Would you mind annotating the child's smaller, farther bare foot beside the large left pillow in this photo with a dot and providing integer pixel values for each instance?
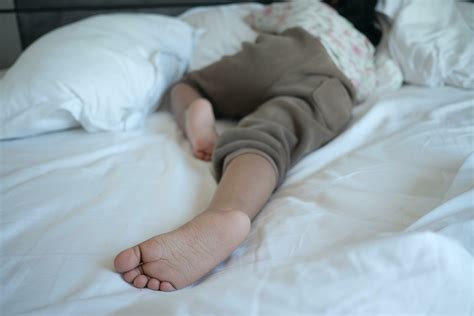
(199, 126)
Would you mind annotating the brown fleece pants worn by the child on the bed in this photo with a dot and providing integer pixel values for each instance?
(287, 93)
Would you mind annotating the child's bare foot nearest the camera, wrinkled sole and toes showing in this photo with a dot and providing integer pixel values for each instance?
(179, 258)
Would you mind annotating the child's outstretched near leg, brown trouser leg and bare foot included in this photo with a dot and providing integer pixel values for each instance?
(282, 130)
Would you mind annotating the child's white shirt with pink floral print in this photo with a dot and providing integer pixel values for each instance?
(350, 50)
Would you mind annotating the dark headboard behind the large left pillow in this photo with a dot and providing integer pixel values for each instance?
(23, 21)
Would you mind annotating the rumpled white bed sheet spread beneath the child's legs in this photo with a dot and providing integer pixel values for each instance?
(380, 221)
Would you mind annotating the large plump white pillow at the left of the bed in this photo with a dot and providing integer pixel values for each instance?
(105, 73)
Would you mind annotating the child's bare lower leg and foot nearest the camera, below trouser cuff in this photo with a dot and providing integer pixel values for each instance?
(177, 259)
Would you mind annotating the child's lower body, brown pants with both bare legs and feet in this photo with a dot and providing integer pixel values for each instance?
(290, 99)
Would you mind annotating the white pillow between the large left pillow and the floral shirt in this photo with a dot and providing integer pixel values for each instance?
(225, 31)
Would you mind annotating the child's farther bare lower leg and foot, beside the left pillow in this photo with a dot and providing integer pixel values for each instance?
(195, 117)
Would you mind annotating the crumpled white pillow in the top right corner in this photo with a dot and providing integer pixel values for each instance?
(431, 42)
